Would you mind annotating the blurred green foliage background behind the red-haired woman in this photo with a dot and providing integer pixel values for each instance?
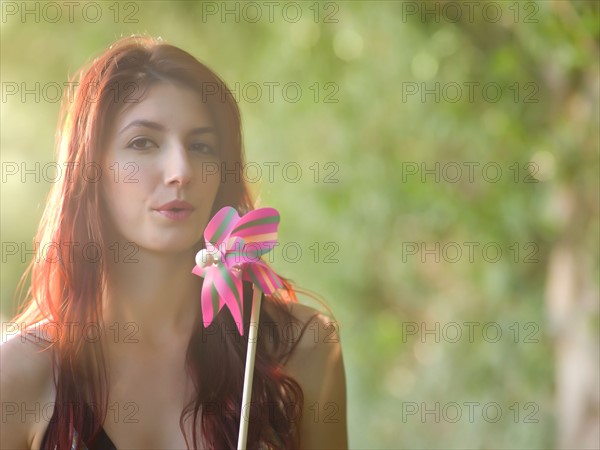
(546, 62)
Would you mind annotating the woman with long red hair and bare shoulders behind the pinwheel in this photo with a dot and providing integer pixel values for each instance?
(114, 353)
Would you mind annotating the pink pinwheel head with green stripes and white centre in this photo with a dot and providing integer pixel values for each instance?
(234, 246)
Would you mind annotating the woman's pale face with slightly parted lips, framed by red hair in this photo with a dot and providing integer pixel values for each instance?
(163, 149)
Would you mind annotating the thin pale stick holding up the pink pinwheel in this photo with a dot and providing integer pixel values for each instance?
(249, 372)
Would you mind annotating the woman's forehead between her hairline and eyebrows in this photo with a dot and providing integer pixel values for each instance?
(176, 107)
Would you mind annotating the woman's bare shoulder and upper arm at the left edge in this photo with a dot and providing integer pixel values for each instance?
(26, 389)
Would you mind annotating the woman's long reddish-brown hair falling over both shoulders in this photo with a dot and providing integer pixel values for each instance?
(66, 286)
